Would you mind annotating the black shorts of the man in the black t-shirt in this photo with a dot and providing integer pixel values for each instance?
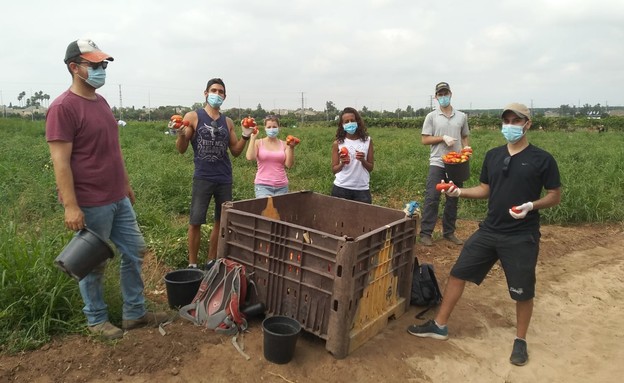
(516, 252)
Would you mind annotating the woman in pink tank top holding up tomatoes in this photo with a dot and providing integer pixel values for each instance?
(273, 157)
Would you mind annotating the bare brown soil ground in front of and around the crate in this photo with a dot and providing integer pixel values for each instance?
(575, 335)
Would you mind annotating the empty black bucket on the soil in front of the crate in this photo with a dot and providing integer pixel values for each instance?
(280, 338)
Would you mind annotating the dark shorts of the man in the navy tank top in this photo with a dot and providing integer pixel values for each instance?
(203, 191)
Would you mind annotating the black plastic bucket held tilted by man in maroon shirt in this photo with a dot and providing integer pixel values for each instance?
(83, 253)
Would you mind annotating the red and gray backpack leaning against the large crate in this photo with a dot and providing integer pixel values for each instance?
(217, 302)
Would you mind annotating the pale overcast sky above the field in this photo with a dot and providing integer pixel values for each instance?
(382, 54)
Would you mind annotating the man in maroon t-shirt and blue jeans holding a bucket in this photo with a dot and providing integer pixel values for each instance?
(93, 186)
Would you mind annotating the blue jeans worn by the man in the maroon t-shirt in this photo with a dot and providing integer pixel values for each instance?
(117, 222)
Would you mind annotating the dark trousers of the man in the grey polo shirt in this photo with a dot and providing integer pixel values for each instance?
(432, 201)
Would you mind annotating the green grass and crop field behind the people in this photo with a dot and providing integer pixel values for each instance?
(38, 301)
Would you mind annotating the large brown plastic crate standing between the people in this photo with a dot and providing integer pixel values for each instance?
(341, 268)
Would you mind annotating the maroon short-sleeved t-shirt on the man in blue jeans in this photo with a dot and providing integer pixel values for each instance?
(96, 160)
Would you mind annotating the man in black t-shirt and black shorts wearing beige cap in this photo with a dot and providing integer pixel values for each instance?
(512, 179)
